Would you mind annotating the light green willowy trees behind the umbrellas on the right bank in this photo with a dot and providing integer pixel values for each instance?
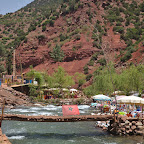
(130, 79)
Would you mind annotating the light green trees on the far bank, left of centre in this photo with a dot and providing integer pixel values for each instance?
(59, 79)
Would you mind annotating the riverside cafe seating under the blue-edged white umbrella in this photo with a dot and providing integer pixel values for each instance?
(101, 102)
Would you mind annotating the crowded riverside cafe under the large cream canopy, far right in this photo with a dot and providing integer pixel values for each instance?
(132, 106)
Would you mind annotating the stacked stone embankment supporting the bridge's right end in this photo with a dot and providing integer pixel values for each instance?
(127, 126)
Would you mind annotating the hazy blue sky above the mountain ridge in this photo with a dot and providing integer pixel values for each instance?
(7, 6)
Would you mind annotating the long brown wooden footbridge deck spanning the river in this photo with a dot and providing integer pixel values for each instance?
(76, 118)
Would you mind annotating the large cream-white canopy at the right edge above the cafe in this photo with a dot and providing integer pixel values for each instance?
(131, 100)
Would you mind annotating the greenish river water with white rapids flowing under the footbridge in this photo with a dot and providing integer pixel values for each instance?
(59, 133)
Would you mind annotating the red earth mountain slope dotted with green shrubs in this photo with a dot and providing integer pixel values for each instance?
(82, 29)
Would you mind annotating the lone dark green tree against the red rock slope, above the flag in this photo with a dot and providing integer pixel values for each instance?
(57, 54)
